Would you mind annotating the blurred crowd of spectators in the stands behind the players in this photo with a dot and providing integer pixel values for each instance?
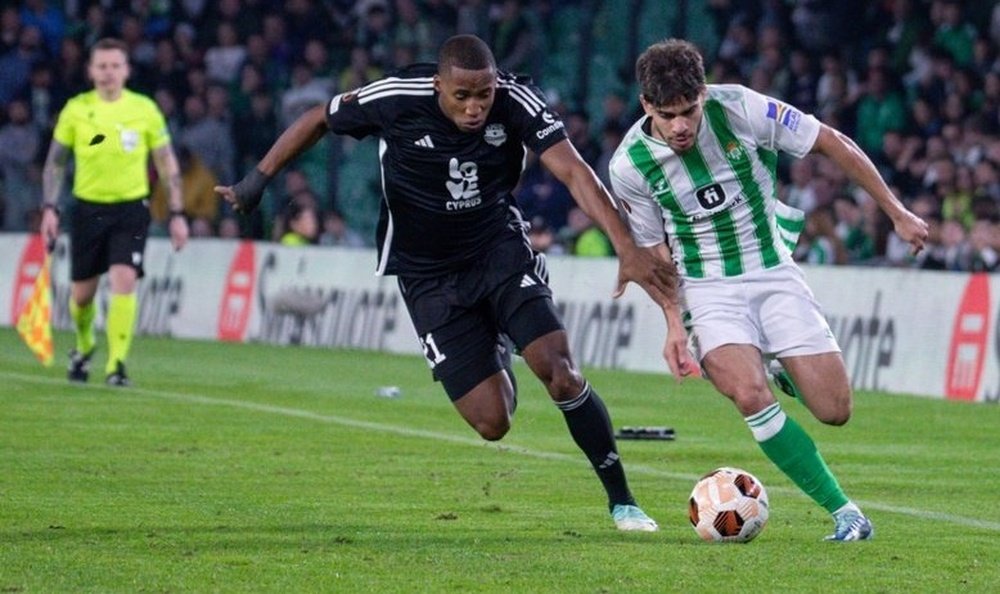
(915, 82)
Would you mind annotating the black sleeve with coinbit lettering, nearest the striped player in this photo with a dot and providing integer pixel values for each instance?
(538, 127)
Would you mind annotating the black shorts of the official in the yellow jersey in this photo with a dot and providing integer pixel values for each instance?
(106, 234)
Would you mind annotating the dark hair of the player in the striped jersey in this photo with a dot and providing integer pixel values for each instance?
(670, 71)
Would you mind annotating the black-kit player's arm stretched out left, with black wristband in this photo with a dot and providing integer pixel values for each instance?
(302, 134)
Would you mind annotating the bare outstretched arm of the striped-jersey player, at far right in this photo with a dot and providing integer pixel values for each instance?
(843, 151)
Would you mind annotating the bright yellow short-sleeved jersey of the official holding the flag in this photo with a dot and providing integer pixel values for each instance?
(111, 142)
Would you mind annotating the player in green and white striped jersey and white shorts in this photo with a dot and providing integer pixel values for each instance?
(696, 179)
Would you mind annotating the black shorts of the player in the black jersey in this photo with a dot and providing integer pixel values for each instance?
(459, 316)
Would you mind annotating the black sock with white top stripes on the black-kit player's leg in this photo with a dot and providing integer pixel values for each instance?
(590, 426)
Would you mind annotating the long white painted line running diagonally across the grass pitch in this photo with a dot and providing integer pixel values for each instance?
(471, 441)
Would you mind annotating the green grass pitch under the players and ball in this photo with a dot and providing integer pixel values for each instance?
(254, 468)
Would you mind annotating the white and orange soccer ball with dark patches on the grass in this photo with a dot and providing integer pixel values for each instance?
(728, 505)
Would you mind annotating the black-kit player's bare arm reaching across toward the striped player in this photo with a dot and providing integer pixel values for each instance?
(657, 276)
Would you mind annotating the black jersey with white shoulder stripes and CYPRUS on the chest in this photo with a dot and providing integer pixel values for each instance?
(446, 193)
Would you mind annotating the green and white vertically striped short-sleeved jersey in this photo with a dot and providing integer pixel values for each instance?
(717, 202)
